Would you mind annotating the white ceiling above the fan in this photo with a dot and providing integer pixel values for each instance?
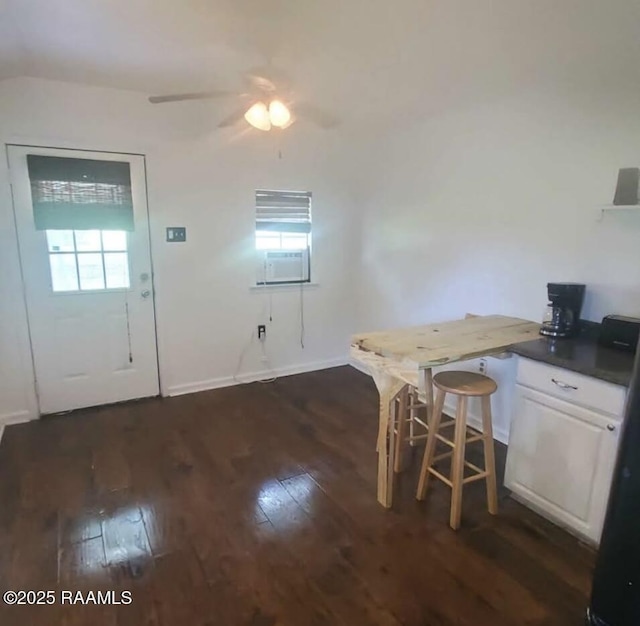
(380, 59)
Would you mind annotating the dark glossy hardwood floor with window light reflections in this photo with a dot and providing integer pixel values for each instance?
(255, 505)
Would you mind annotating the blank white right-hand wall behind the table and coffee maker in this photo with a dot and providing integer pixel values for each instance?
(478, 209)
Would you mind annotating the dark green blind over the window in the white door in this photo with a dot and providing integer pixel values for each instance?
(80, 194)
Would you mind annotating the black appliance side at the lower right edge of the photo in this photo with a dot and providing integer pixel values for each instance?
(615, 597)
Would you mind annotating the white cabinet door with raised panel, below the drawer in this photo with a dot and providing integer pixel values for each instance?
(561, 458)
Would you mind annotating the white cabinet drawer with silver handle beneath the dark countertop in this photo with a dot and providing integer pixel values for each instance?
(572, 387)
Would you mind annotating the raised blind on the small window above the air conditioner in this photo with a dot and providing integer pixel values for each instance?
(283, 211)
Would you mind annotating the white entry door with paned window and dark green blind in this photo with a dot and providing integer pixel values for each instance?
(89, 289)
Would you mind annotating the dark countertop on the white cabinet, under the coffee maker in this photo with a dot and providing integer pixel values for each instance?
(582, 355)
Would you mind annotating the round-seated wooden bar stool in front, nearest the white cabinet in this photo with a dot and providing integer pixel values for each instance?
(463, 385)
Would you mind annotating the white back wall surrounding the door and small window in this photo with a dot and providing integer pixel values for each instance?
(203, 179)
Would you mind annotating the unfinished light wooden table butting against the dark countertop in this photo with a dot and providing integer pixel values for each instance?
(395, 358)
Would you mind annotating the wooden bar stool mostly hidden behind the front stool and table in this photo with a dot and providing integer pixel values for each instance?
(408, 421)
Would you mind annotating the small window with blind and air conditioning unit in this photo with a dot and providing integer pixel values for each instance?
(283, 236)
